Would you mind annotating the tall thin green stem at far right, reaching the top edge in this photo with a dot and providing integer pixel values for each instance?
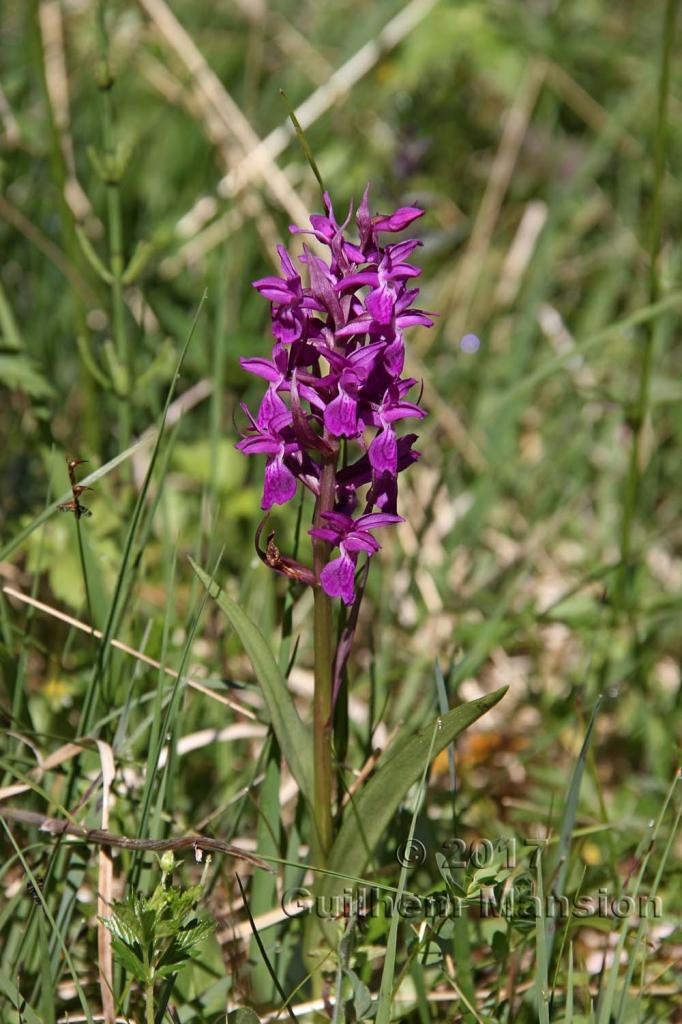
(642, 408)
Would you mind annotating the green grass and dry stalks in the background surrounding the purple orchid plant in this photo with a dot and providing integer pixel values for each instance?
(542, 548)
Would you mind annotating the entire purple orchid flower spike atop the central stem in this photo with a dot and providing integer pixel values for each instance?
(336, 372)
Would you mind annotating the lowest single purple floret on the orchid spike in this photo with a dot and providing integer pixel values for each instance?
(352, 537)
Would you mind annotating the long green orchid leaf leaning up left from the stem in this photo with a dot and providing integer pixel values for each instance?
(293, 737)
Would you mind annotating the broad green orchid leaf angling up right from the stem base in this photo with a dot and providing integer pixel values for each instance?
(373, 808)
